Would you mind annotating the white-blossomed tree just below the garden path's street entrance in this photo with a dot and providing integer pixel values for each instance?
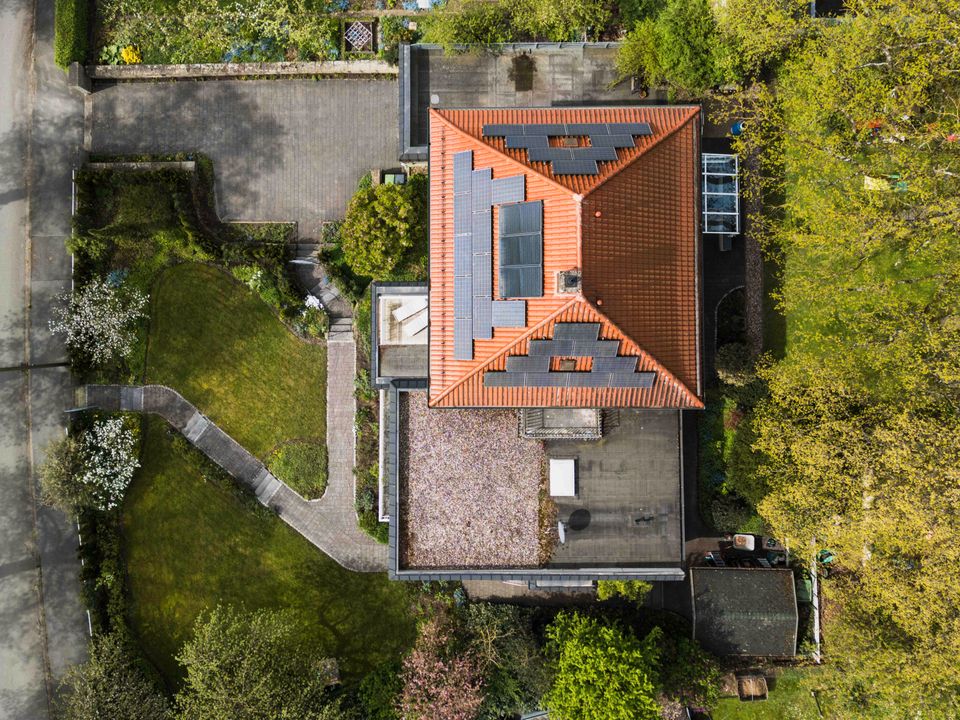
(109, 451)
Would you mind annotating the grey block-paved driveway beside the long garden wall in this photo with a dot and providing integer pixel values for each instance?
(283, 149)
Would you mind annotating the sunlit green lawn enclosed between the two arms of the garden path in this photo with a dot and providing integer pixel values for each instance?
(221, 347)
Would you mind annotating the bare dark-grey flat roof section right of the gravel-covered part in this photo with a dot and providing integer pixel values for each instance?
(627, 510)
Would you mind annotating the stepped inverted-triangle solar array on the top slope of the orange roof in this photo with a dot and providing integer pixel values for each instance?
(605, 139)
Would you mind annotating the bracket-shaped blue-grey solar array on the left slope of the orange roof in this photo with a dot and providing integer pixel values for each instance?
(474, 312)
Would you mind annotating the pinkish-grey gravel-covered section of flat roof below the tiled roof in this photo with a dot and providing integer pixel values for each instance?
(469, 488)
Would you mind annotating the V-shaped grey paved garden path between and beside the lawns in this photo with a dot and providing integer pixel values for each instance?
(330, 523)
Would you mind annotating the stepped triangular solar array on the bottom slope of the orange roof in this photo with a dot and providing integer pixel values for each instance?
(609, 370)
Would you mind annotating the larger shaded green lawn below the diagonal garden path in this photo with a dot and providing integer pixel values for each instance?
(191, 543)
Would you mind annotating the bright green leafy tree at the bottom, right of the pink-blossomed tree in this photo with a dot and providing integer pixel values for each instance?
(602, 671)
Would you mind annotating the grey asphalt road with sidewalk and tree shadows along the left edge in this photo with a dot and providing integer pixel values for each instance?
(43, 627)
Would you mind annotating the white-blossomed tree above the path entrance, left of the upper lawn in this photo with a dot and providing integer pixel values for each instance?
(98, 320)
